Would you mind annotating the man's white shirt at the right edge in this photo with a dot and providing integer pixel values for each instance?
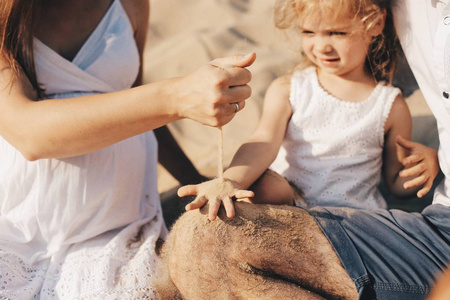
(423, 27)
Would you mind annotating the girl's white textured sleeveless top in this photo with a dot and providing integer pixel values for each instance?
(332, 150)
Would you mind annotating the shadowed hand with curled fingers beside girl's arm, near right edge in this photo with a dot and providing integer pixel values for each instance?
(421, 162)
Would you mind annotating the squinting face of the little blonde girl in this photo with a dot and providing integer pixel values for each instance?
(336, 45)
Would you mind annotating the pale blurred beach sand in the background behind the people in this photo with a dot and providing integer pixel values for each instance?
(183, 35)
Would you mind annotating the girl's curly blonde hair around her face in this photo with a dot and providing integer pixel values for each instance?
(383, 52)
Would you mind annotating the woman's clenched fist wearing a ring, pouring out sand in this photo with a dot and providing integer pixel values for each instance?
(209, 95)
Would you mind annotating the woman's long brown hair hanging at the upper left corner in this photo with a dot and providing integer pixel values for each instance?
(17, 23)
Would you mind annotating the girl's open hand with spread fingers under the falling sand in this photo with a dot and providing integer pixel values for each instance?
(216, 192)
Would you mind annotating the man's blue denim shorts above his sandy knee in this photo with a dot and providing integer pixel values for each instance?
(389, 254)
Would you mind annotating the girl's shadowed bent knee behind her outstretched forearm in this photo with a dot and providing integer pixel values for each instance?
(272, 188)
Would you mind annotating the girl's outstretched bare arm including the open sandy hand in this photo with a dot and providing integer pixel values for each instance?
(251, 159)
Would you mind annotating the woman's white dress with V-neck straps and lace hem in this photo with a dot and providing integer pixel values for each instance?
(82, 227)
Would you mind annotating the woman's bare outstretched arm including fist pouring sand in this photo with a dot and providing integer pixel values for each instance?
(70, 127)
